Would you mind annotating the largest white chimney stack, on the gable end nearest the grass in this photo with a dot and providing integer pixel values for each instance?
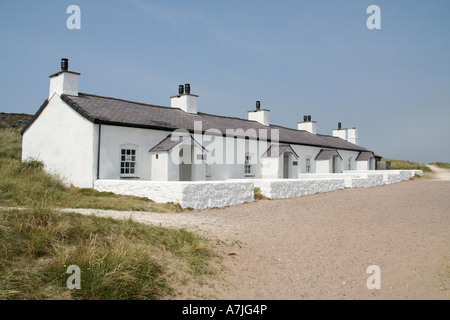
(64, 81)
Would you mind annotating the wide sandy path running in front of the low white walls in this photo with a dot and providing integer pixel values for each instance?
(319, 246)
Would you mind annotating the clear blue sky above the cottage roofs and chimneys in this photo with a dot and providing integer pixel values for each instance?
(296, 57)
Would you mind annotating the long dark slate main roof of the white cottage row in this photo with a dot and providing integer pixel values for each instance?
(112, 111)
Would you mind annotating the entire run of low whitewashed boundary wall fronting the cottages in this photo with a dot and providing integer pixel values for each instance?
(212, 194)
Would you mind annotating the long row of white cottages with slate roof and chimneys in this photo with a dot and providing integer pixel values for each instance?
(84, 138)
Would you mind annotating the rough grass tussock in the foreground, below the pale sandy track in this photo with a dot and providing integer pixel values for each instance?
(118, 259)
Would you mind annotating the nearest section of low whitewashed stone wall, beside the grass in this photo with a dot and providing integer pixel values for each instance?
(195, 195)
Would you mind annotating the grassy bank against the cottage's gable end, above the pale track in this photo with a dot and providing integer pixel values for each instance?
(26, 184)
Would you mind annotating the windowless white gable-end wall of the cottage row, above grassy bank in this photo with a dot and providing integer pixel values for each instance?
(64, 141)
